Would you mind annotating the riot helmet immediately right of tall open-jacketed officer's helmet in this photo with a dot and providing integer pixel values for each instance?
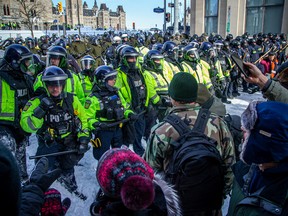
(150, 61)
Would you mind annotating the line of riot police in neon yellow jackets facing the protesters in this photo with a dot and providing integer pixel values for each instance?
(107, 105)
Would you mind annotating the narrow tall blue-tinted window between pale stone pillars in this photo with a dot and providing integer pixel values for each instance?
(211, 16)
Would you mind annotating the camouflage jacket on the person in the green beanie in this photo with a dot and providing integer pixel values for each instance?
(158, 152)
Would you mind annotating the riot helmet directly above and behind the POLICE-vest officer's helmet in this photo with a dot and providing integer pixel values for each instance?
(57, 52)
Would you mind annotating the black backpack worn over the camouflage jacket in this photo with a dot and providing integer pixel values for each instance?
(195, 168)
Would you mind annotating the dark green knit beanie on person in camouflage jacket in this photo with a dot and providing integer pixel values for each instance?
(183, 87)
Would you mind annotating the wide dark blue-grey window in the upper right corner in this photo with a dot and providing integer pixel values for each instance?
(259, 15)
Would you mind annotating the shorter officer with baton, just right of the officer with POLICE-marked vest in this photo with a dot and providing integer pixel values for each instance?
(106, 110)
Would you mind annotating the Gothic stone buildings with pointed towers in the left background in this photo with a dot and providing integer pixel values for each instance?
(76, 14)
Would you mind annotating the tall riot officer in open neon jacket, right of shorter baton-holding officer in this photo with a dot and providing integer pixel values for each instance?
(136, 91)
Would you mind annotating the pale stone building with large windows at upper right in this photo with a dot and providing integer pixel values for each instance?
(238, 16)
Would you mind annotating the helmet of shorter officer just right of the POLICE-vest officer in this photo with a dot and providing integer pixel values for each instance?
(104, 73)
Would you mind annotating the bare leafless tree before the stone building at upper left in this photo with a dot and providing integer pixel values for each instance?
(30, 10)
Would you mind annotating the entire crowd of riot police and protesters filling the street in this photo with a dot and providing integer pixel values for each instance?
(112, 91)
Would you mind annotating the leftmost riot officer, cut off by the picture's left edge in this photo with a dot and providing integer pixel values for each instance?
(16, 89)
